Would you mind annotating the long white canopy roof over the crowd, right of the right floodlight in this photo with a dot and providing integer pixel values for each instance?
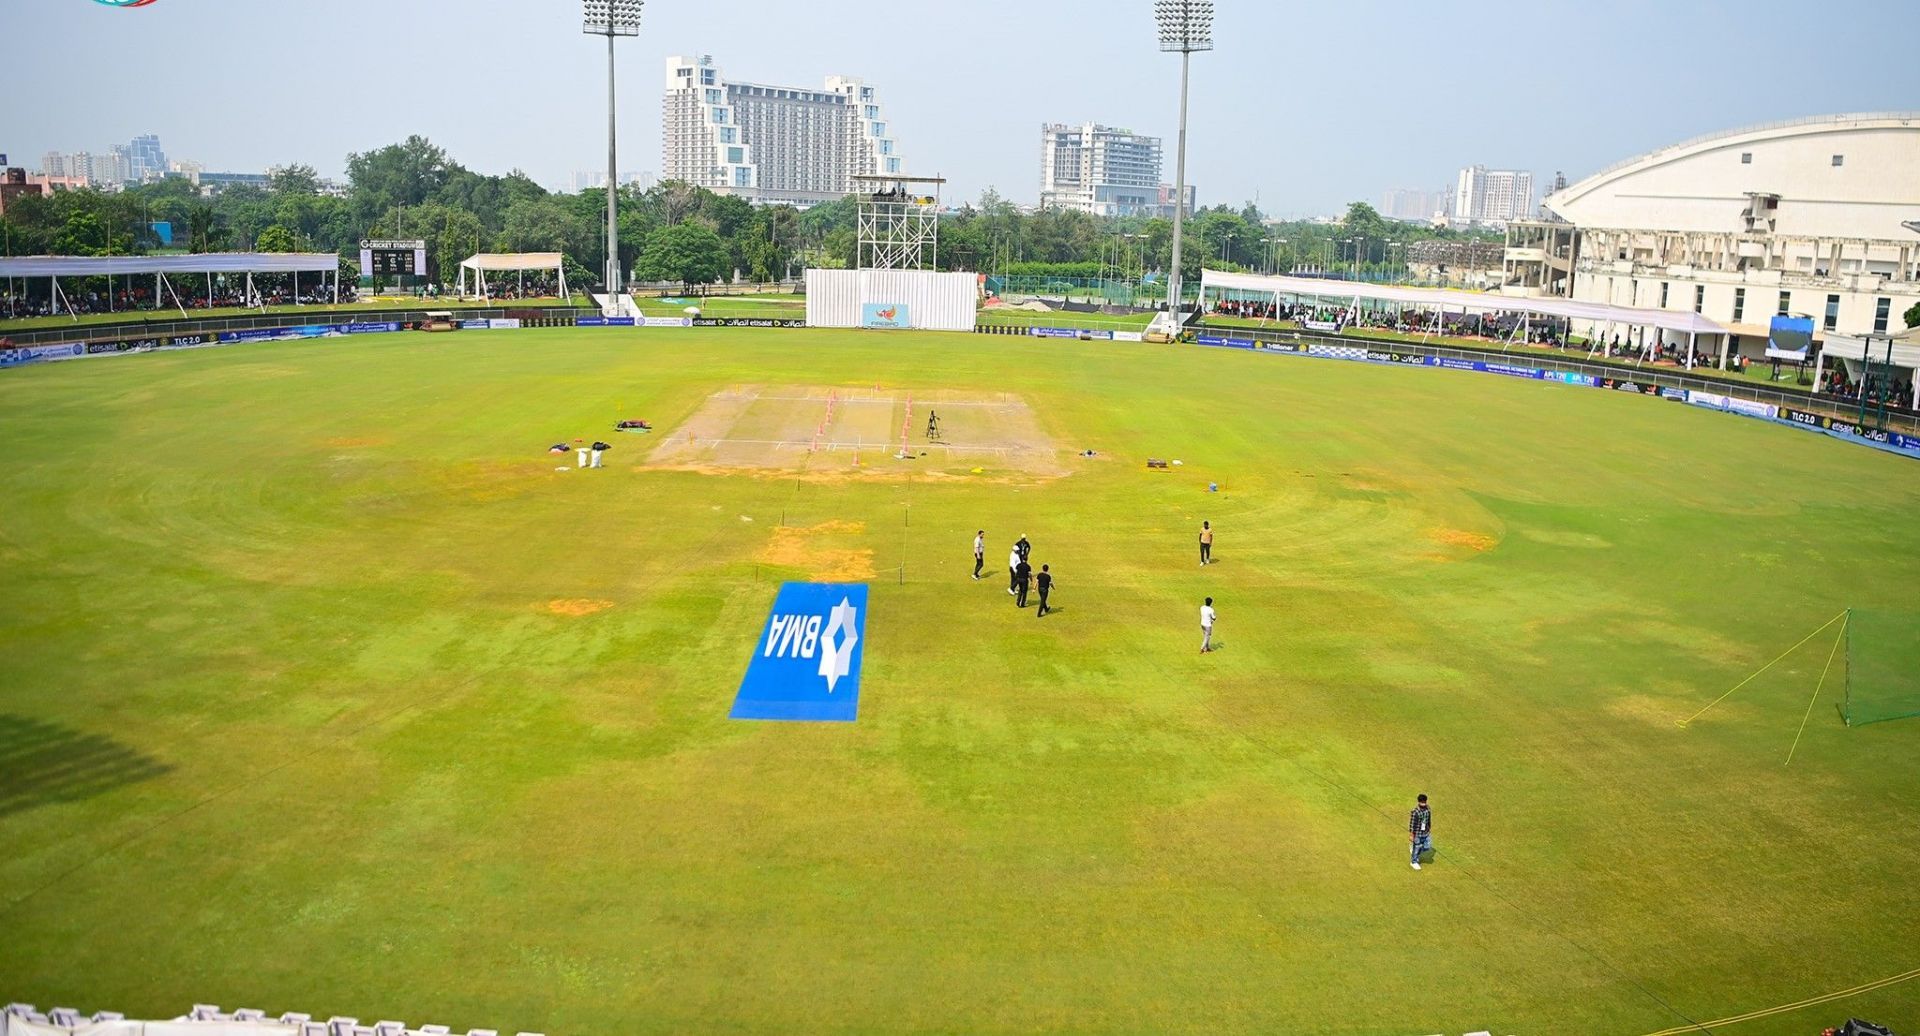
(1447, 300)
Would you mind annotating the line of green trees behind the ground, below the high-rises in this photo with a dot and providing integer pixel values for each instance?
(669, 233)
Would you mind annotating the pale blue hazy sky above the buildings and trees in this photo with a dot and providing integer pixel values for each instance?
(1303, 105)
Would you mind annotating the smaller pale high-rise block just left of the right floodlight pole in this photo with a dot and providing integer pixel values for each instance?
(1099, 170)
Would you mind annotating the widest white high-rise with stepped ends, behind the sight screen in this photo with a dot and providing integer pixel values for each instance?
(773, 145)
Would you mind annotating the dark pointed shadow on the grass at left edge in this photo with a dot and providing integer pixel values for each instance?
(45, 763)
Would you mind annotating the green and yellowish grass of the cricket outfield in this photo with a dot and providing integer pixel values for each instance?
(327, 692)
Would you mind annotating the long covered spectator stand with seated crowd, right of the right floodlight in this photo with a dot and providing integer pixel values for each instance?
(1512, 314)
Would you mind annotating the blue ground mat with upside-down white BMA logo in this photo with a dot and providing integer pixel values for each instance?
(807, 661)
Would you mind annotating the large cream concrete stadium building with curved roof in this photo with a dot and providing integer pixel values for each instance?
(1812, 218)
